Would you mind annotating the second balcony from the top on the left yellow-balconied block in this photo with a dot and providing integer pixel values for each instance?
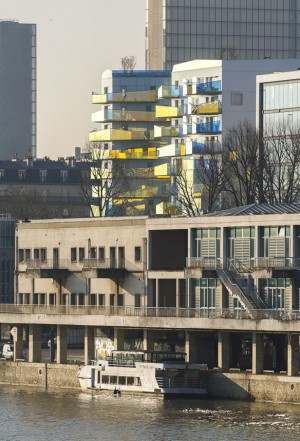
(111, 115)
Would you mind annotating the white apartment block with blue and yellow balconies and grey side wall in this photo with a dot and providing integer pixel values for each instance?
(208, 97)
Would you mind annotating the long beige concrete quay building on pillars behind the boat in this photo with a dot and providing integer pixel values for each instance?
(221, 287)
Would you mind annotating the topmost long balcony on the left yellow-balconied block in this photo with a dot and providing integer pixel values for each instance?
(147, 96)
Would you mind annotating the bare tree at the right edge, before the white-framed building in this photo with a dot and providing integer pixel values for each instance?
(281, 163)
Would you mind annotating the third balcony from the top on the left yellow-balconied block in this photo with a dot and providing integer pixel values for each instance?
(134, 134)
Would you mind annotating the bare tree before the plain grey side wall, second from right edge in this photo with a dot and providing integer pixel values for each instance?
(241, 165)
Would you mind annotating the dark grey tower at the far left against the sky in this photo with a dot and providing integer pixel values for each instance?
(17, 89)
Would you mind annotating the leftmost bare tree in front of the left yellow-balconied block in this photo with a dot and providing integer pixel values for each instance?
(104, 190)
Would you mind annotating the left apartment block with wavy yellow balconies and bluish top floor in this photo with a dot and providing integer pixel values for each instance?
(124, 139)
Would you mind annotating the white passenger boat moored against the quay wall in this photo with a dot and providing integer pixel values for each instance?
(142, 372)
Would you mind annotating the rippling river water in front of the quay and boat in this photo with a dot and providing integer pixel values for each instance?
(59, 416)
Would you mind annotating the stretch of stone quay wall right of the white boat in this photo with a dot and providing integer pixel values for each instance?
(249, 387)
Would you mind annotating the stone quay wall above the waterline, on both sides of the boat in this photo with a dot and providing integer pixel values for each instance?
(235, 386)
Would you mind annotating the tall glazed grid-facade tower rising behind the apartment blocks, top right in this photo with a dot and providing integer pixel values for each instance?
(183, 30)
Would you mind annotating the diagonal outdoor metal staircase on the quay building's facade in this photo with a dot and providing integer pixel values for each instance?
(238, 285)
